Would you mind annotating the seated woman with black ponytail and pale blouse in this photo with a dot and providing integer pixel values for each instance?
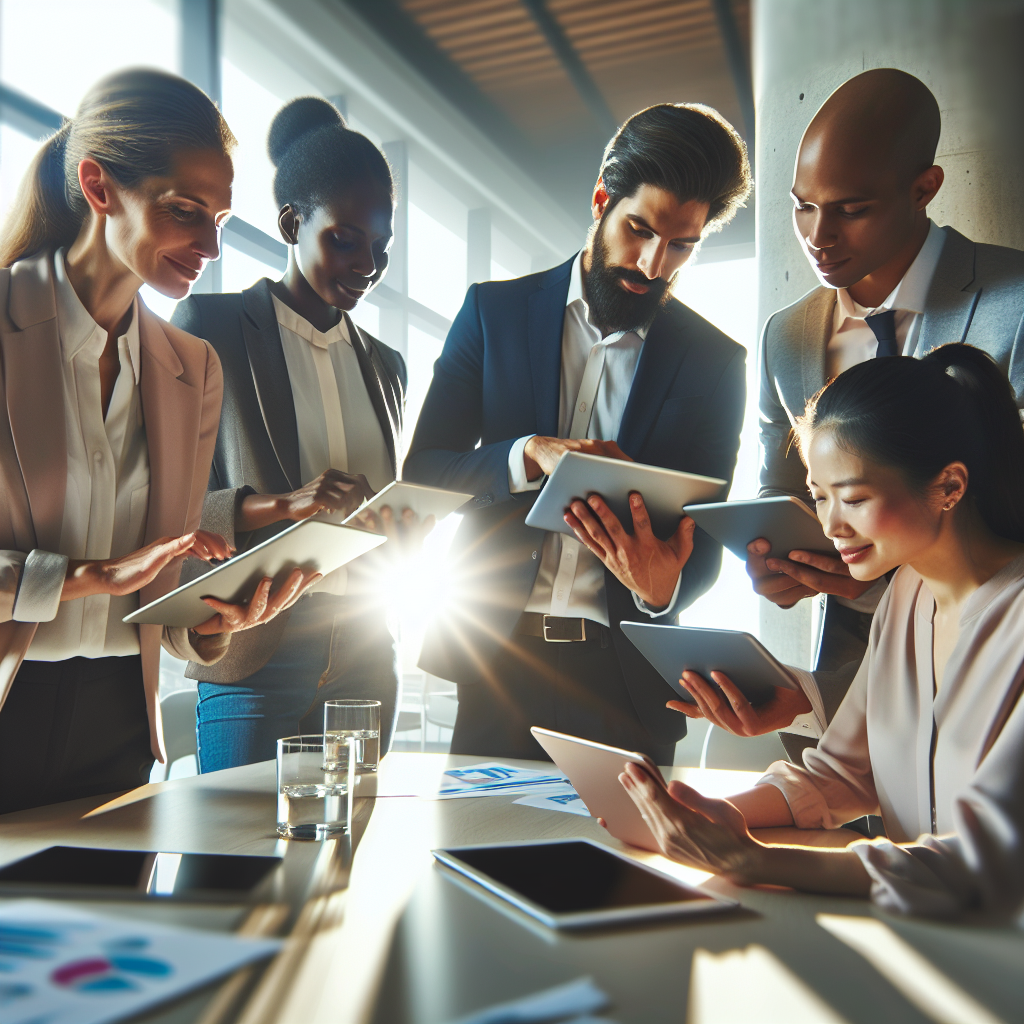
(918, 464)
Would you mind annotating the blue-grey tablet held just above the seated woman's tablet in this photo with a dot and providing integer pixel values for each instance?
(671, 650)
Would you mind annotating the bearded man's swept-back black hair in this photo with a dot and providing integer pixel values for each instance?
(689, 150)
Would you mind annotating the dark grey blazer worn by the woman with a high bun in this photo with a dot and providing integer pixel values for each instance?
(258, 447)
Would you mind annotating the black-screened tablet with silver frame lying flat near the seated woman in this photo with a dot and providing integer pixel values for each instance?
(577, 883)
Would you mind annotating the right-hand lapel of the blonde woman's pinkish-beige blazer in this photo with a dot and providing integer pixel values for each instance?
(173, 410)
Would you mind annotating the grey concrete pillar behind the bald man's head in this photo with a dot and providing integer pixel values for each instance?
(971, 56)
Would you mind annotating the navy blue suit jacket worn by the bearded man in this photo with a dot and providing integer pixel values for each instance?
(497, 380)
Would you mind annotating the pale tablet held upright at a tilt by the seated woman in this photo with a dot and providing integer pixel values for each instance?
(594, 770)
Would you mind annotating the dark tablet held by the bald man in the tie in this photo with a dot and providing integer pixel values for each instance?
(786, 523)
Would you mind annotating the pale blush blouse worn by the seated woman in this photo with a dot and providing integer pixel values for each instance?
(945, 770)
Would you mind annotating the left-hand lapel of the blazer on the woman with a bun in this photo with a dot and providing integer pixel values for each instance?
(274, 389)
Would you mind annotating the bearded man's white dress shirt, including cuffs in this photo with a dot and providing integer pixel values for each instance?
(596, 378)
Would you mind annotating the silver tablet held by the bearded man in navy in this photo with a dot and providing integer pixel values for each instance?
(665, 492)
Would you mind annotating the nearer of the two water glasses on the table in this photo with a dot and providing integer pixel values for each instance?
(313, 803)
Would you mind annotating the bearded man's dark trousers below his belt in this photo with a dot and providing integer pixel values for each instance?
(577, 689)
